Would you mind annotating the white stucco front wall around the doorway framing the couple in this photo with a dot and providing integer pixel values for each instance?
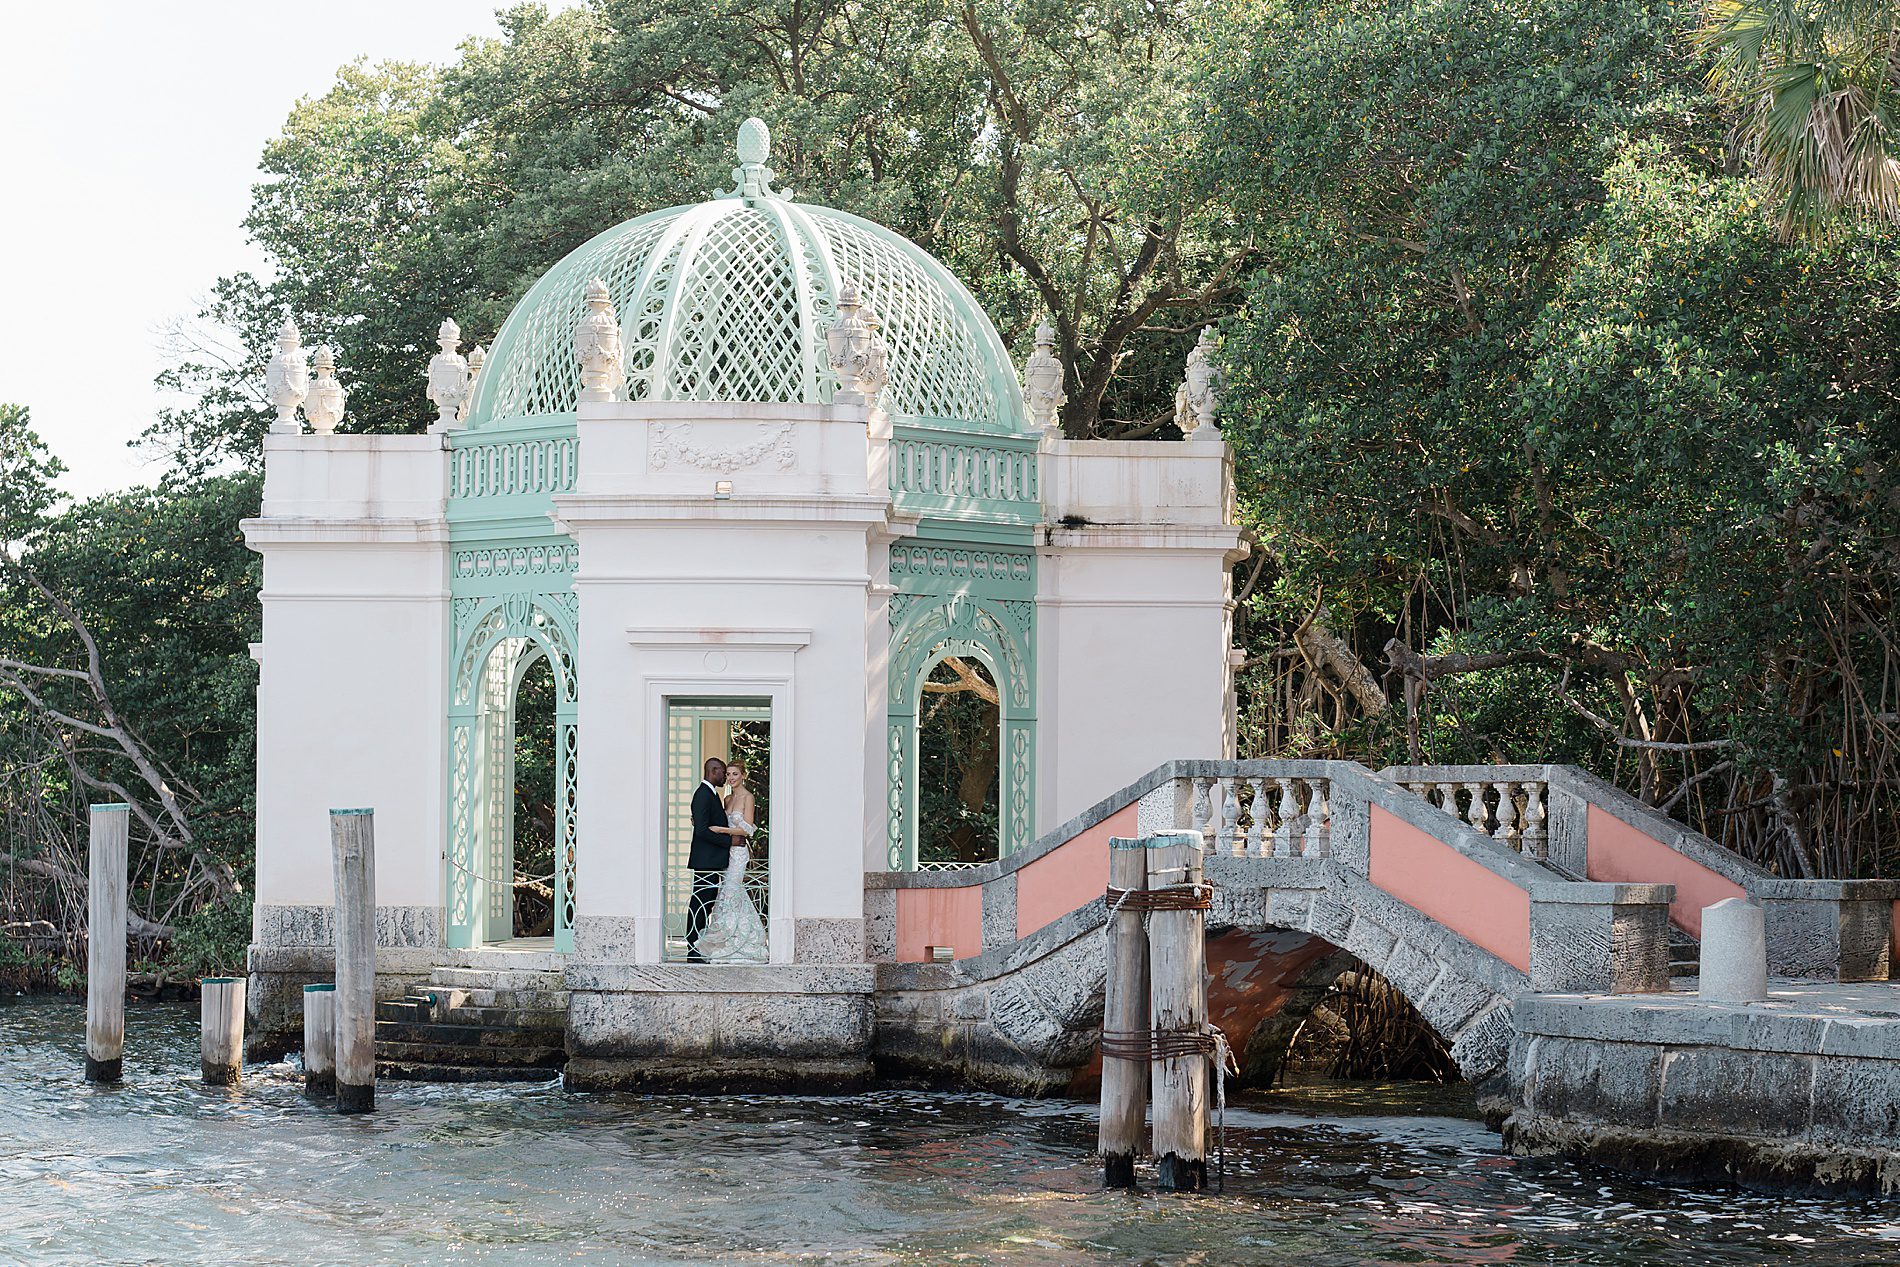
(763, 592)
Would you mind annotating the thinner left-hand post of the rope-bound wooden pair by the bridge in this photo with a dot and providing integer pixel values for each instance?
(1126, 1015)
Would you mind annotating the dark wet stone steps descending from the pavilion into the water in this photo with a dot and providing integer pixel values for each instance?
(493, 1017)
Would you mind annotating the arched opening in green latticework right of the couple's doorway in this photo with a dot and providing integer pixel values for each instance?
(960, 765)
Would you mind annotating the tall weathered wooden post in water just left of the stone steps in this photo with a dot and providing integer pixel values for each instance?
(354, 848)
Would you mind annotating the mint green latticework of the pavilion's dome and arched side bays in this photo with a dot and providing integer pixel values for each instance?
(731, 301)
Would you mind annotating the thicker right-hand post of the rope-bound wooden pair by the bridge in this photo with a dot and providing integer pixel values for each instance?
(1177, 964)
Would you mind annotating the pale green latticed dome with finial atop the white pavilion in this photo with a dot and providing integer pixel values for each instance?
(731, 301)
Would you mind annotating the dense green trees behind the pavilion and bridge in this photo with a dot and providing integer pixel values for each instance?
(1559, 339)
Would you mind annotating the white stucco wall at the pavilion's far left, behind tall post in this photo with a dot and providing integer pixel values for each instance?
(351, 689)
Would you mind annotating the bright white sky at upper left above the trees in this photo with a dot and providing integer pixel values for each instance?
(132, 140)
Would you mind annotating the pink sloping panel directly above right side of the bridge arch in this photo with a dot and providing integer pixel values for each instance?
(1470, 899)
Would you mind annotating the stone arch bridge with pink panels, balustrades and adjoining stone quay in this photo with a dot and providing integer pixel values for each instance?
(1536, 917)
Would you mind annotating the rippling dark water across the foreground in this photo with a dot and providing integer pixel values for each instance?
(170, 1173)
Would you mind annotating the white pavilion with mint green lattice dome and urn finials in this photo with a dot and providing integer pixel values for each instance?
(740, 470)
